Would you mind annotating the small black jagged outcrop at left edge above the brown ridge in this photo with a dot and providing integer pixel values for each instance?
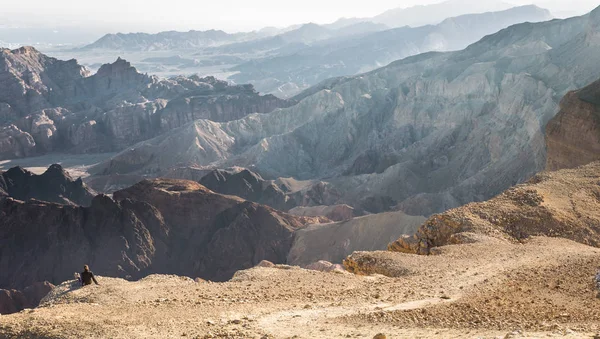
(54, 185)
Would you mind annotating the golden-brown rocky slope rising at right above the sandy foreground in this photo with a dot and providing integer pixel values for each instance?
(554, 204)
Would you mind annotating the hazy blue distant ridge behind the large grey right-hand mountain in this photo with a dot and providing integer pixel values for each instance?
(327, 59)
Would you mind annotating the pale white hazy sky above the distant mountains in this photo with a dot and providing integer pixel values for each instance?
(229, 15)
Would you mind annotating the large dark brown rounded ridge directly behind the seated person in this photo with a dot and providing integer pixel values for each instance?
(166, 226)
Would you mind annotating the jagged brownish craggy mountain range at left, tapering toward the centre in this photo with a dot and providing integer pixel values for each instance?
(52, 105)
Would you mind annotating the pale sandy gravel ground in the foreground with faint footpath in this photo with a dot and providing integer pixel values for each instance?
(493, 289)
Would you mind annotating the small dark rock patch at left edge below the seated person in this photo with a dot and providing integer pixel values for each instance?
(12, 301)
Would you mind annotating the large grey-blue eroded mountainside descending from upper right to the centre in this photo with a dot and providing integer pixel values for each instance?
(405, 134)
